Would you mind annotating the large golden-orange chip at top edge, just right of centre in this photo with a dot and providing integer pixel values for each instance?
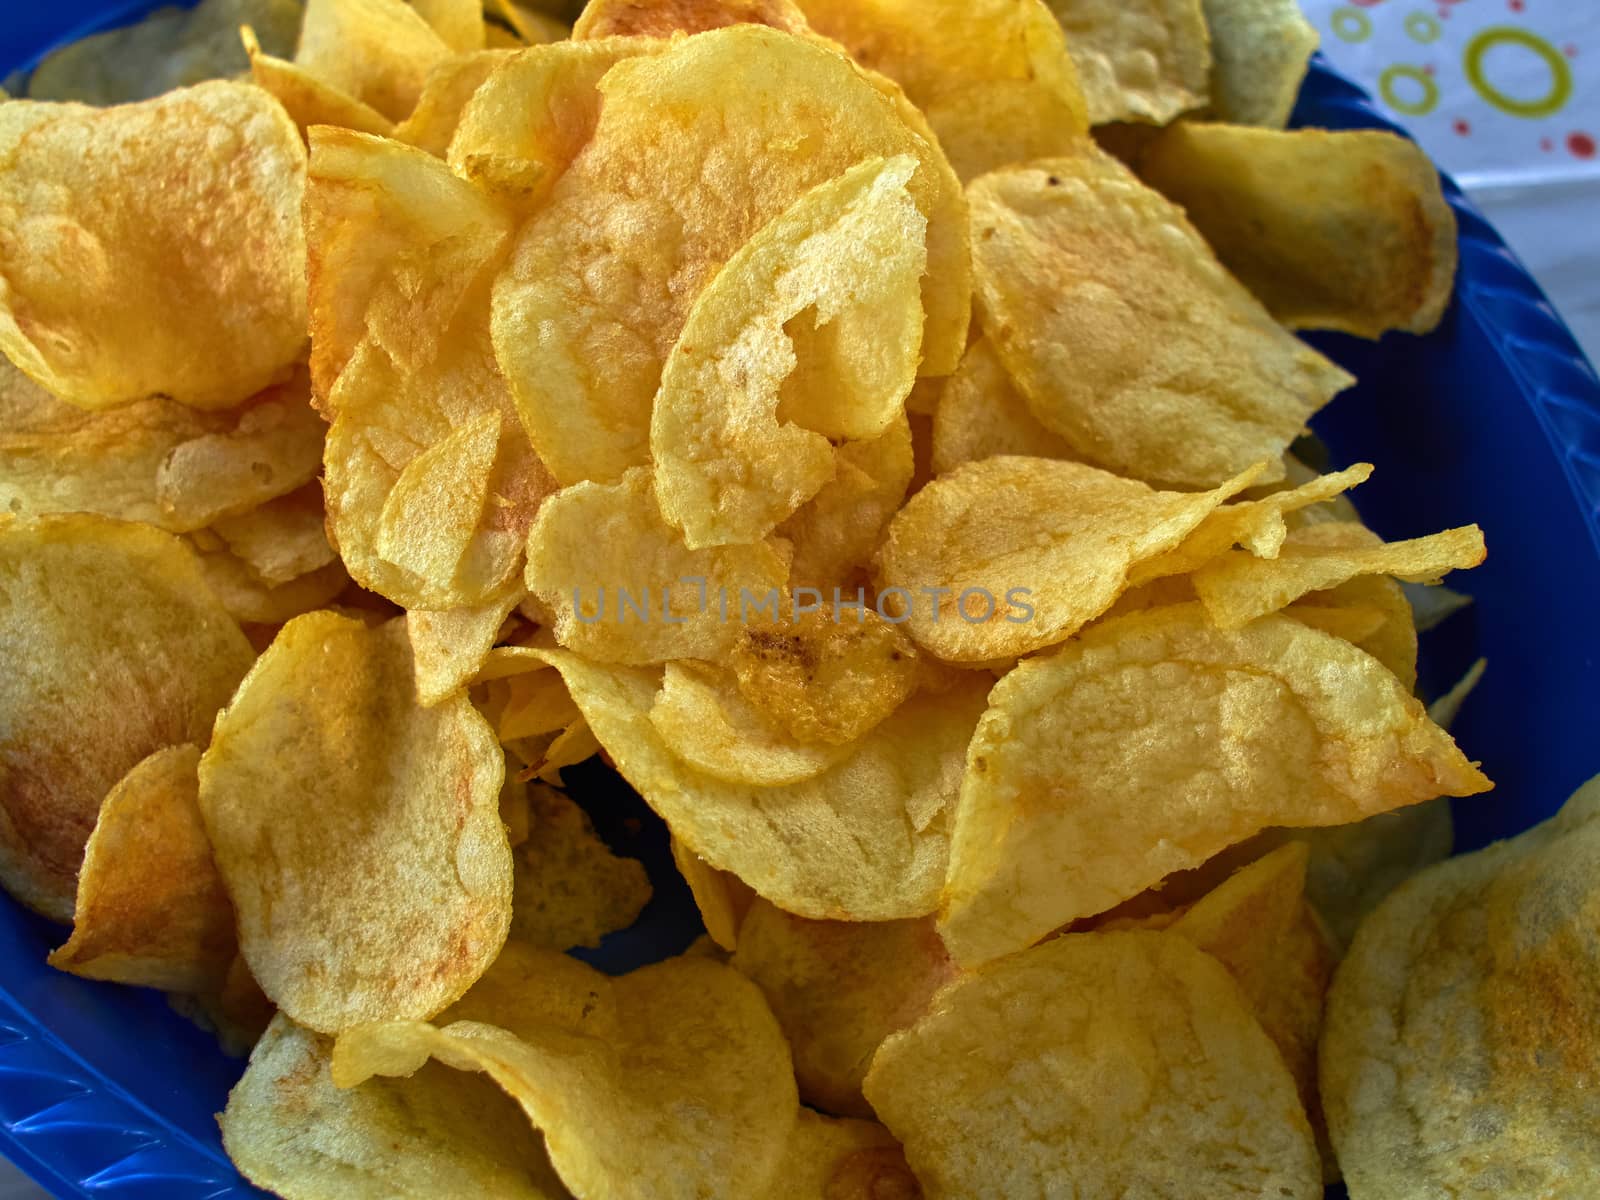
(993, 78)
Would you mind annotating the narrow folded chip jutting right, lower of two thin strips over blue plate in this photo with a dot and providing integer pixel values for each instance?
(1238, 588)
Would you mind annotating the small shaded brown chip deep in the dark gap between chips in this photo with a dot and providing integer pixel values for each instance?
(569, 889)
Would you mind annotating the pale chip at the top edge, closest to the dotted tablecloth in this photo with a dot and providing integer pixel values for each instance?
(1260, 55)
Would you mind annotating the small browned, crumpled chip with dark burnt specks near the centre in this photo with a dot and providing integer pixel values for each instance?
(826, 676)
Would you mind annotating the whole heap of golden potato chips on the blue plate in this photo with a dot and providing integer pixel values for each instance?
(866, 426)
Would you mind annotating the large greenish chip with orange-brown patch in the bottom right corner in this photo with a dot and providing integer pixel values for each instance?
(1460, 1052)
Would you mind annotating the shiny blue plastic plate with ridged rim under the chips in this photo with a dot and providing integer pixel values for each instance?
(1495, 418)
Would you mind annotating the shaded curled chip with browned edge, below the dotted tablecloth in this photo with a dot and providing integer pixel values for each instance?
(1330, 231)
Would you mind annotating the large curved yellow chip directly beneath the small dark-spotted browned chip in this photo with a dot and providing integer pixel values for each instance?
(865, 841)
